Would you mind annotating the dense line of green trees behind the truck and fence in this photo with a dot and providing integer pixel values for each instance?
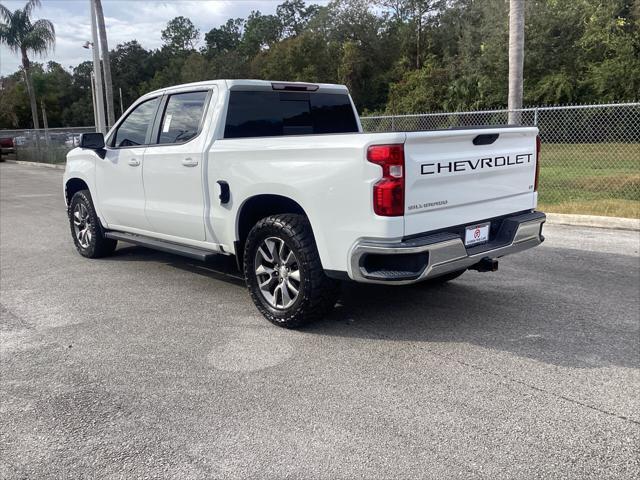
(577, 51)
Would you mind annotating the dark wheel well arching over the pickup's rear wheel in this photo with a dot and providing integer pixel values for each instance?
(257, 208)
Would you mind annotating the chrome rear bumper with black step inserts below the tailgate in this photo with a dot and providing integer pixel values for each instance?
(434, 255)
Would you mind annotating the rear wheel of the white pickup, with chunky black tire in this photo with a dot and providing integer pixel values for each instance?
(283, 272)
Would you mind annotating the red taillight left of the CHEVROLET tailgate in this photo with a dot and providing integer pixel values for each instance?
(388, 193)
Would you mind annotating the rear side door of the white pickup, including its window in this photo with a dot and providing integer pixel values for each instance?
(173, 169)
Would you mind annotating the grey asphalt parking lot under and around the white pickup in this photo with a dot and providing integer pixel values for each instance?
(147, 365)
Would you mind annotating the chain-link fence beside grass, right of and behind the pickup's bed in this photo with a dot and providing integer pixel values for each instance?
(590, 158)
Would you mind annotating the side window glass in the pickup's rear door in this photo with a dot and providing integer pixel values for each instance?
(182, 117)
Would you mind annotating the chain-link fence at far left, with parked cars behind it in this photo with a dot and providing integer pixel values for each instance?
(44, 145)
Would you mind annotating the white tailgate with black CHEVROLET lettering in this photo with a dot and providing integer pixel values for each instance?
(462, 176)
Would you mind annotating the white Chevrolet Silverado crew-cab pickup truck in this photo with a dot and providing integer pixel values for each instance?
(282, 176)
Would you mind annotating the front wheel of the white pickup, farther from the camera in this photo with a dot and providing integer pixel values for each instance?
(86, 230)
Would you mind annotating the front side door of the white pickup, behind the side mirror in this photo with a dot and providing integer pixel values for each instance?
(119, 174)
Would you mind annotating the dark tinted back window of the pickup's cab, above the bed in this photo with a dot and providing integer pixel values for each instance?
(268, 114)
